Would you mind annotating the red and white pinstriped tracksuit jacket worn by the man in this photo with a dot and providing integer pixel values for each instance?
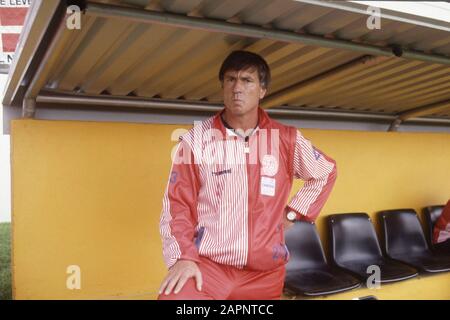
(226, 197)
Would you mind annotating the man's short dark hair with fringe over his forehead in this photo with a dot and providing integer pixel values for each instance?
(241, 60)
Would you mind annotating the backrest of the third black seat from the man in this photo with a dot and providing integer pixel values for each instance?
(402, 232)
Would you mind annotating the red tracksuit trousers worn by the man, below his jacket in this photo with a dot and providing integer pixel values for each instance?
(222, 282)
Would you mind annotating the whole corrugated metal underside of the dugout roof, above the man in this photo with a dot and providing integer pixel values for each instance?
(119, 57)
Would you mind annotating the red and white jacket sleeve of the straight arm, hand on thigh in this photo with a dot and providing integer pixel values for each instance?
(179, 213)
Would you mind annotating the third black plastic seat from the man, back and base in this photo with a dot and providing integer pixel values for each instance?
(404, 241)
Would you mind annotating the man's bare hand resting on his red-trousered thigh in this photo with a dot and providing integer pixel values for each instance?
(179, 273)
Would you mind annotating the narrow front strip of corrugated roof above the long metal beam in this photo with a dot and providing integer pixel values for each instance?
(307, 18)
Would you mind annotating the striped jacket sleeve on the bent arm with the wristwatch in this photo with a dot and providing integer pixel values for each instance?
(319, 172)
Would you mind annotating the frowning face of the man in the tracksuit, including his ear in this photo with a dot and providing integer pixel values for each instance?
(242, 91)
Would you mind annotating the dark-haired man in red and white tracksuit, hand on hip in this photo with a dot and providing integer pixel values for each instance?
(224, 209)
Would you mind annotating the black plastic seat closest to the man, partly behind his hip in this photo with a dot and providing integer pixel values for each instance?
(307, 271)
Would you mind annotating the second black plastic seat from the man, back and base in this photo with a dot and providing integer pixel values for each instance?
(355, 247)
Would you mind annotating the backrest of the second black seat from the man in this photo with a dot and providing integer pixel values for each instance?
(353, 238)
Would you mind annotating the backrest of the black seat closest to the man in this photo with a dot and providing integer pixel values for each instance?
(305, 248)
